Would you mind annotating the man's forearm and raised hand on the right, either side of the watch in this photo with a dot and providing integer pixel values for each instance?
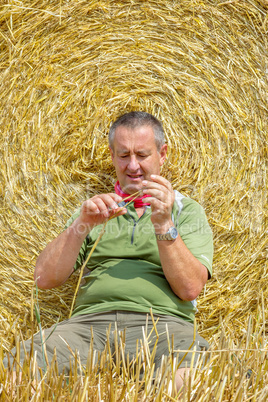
(185, 274)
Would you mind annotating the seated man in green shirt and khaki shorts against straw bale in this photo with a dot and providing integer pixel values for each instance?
(155, 254)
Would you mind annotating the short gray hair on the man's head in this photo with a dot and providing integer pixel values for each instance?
(138, 119)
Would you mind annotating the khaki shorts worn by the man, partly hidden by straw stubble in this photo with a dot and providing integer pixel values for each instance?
(130, 329)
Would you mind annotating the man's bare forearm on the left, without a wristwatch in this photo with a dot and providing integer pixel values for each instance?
(55, 263)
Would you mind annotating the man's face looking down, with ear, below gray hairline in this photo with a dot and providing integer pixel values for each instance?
(135, 156)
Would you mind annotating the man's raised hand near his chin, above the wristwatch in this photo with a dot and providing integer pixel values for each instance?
(161, 200)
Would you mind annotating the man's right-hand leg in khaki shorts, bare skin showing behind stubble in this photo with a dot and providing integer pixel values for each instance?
(171, 332)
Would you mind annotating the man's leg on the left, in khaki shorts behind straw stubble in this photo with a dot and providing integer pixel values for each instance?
(66, 338)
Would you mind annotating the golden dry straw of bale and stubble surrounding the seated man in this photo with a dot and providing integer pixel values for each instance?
(69, 68)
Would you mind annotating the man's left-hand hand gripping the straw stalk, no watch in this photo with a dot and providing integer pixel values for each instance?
(98, 209)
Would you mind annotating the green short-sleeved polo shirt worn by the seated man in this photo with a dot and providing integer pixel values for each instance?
(125, 268)
